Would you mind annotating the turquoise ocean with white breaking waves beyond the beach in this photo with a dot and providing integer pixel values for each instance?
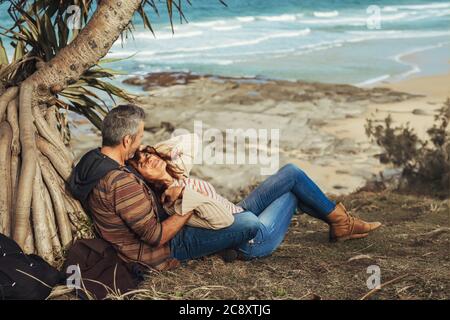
(355, 42)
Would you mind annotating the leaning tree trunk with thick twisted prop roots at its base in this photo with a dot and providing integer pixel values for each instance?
(37, 209)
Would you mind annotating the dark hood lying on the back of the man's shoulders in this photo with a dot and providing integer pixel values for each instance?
(91, 168)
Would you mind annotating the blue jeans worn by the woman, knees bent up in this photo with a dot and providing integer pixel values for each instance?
(275, 201)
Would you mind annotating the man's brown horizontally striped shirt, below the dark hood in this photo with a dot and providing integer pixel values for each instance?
(125, 214)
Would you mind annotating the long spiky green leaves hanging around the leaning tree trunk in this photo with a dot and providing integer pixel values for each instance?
(40, 31)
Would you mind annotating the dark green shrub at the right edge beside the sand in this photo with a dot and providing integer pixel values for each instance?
(425, 164)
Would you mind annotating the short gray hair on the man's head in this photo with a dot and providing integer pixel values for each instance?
(121, 121)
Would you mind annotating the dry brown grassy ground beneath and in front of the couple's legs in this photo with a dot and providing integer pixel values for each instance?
(412, 248)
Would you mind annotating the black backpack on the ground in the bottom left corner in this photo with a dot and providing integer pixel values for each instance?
(22, 276)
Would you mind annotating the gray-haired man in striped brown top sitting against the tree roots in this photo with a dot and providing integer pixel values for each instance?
(126, 212)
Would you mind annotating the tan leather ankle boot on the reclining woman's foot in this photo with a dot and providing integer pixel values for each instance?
(343, 226)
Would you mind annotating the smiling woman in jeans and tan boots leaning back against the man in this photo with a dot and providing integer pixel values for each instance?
(274, 201)
